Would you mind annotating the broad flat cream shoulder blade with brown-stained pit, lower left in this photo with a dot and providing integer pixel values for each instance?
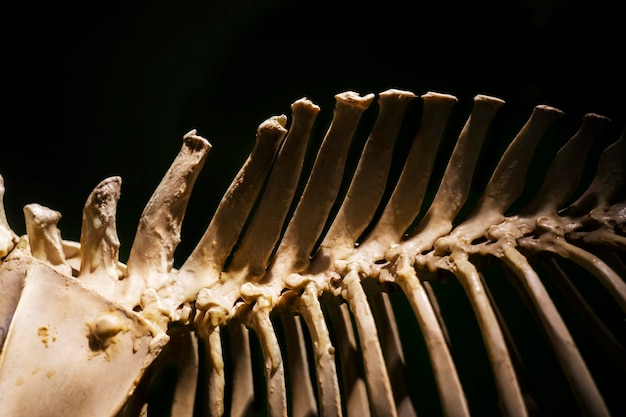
(64, 335)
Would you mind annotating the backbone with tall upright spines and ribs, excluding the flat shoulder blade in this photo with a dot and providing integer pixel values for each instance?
(320, 275)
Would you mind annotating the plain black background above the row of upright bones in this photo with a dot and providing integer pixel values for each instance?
(95, 89)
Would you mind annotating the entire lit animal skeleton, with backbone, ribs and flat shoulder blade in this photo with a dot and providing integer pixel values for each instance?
(380, 289)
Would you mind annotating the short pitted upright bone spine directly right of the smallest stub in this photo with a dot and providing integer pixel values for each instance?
(98, 239)
